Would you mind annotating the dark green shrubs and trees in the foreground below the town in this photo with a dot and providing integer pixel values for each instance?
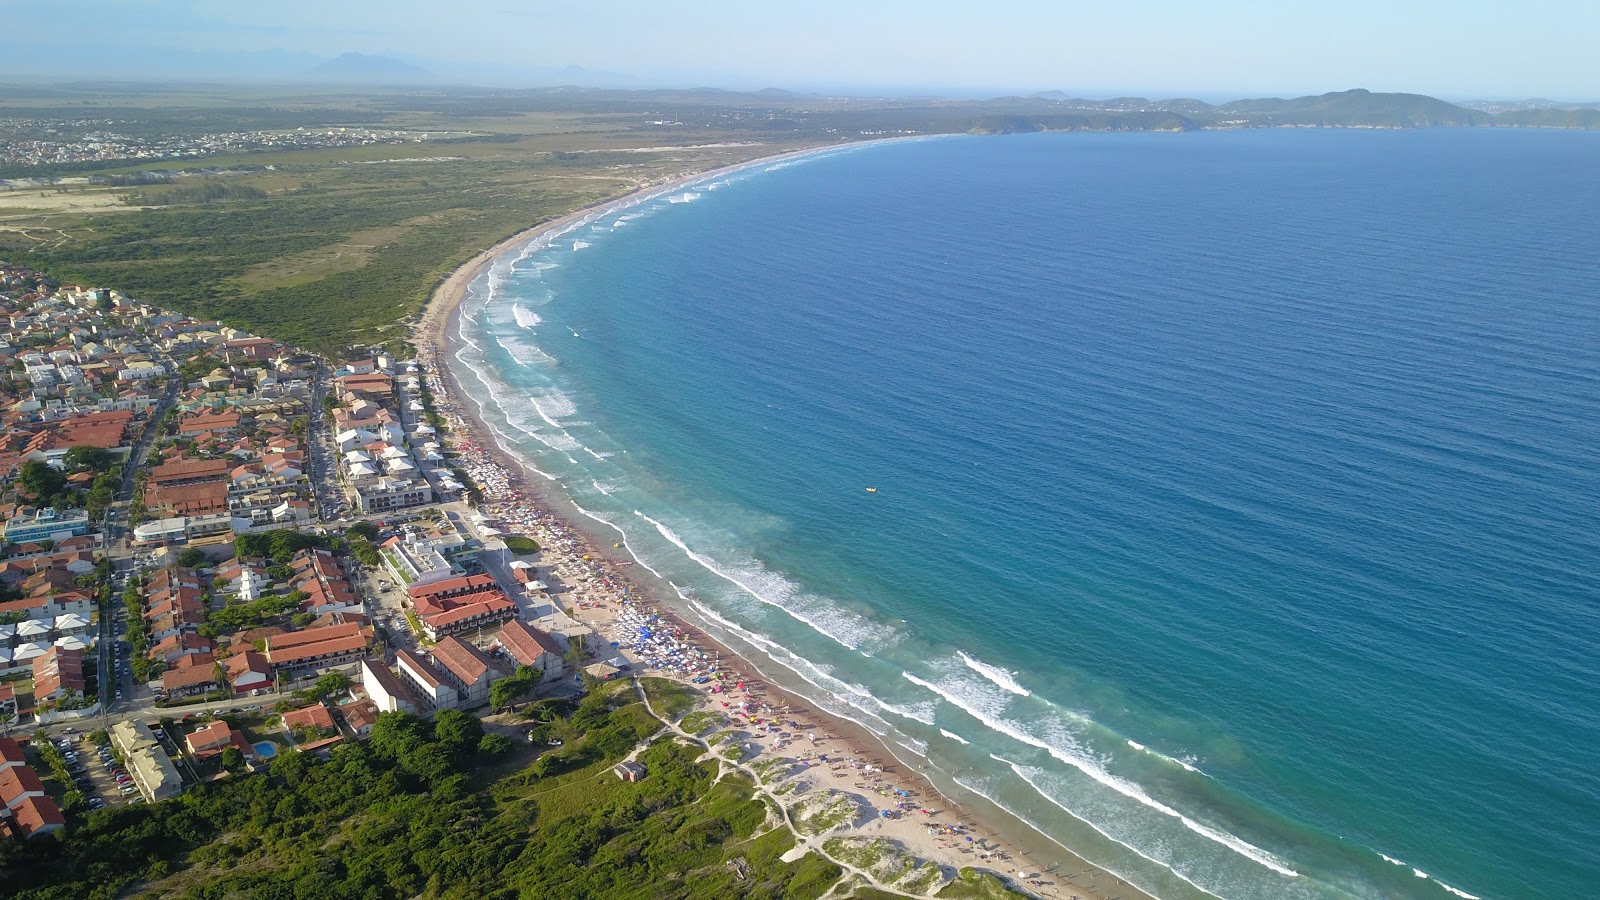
(406, 816)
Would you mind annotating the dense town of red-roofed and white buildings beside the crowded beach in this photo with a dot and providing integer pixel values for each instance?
(206, 523)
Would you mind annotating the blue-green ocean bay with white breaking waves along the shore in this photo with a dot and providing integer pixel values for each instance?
(1226, 507)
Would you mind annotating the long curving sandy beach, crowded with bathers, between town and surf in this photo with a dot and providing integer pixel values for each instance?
(802, 757)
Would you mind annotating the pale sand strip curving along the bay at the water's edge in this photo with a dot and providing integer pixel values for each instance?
(1030, 862)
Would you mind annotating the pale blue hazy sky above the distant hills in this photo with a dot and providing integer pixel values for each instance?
(1218, 49)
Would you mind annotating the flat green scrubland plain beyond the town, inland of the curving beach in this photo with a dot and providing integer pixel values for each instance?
(346, 244)
